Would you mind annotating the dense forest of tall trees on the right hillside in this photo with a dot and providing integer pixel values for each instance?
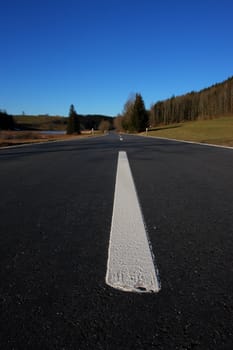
(208, 103)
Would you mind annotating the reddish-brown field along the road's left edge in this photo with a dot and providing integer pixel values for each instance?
(13, 138)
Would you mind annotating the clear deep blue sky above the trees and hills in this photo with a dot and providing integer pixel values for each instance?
(95, 53)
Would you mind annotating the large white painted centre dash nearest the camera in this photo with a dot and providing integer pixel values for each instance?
(130, 264)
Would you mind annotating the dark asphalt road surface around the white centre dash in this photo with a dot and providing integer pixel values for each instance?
(55, 220)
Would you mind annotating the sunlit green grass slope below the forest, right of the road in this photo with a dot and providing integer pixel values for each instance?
(216, 131)
